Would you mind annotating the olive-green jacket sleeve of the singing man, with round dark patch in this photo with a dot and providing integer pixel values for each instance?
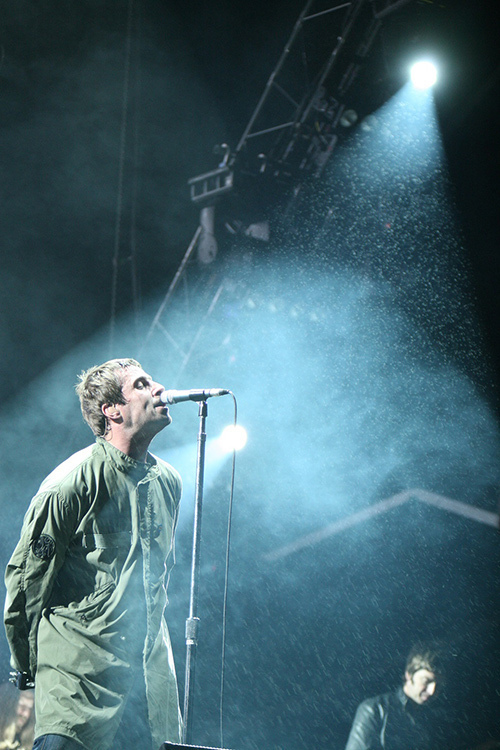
(31, 572)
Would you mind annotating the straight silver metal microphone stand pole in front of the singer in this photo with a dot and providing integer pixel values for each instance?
(193, 620)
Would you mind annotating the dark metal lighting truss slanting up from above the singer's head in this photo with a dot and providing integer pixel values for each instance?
(306, 106)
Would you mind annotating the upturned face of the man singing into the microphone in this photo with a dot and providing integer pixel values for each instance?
(143, 414)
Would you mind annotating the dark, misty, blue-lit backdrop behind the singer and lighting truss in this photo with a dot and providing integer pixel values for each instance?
(361, 341)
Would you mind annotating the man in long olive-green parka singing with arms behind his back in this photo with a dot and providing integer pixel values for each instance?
(86, 584)
